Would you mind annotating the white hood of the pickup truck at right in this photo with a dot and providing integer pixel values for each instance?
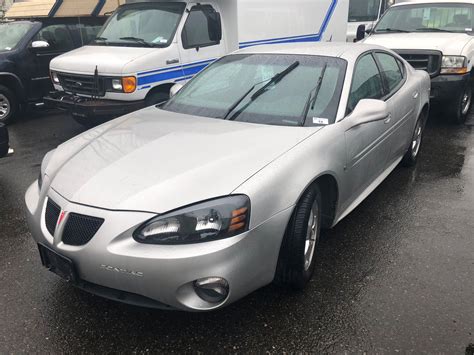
(447, 43)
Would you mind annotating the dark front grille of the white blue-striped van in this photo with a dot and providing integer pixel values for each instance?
(82, 84)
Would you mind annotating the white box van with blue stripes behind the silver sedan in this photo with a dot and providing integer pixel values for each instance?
(147, 47)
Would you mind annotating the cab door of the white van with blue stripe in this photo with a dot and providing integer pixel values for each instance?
(200, 39)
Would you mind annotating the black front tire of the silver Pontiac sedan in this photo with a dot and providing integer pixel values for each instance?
(292, 270)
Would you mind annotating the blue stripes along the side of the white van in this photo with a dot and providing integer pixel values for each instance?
(184, 72)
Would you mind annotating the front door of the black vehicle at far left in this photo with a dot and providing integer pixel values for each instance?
(60, 41)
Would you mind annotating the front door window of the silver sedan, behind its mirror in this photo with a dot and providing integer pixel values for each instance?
(366, 82)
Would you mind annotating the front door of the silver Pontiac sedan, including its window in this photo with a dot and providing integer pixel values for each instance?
(366, 144)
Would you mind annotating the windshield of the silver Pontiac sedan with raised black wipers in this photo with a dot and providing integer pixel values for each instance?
(286, 90)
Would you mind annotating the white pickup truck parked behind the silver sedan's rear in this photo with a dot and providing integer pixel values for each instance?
(436, 36)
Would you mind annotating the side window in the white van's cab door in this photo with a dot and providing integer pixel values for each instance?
(202, 27)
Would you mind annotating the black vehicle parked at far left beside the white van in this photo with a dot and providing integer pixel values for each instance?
(27, 47)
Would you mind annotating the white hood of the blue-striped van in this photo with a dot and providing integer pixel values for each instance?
(107, 59)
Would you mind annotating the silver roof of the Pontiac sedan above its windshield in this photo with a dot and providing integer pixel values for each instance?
(328, 49)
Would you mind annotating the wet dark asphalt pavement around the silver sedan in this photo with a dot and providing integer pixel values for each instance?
(395, 275)
